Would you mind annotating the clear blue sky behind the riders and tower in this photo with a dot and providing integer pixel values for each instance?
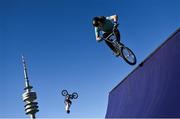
(57, 39)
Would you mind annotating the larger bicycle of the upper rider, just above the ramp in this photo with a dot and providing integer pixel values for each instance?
(125, 52)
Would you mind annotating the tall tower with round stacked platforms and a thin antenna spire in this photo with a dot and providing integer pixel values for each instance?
(29, 96)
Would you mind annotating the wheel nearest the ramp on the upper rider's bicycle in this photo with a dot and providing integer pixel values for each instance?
(128, 55)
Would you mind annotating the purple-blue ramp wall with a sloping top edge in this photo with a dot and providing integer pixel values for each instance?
(153, 88)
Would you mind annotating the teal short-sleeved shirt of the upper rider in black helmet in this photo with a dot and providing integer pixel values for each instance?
(107, 27)
